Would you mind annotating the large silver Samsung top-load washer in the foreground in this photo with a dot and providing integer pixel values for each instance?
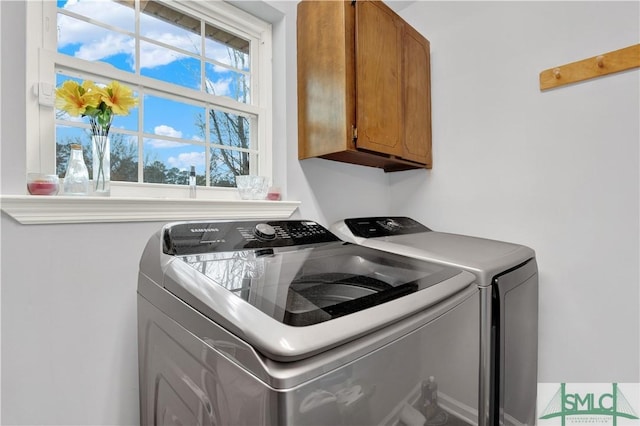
(282, 323)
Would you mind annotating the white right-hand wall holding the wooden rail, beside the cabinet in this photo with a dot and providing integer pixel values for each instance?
(555, 170)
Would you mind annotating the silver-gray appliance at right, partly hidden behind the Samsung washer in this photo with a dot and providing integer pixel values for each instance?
(507, 278)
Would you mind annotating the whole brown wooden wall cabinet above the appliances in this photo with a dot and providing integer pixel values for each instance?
(364, 94)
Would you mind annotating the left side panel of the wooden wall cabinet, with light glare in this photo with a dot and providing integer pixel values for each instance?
(326, 78)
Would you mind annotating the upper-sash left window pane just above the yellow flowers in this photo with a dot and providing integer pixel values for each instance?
(93, 43)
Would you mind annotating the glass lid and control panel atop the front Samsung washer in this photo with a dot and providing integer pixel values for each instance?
(291, 300)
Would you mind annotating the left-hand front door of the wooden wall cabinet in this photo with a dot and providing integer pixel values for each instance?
(378, 78)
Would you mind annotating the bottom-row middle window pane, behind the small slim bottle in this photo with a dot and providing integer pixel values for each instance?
(170, 162)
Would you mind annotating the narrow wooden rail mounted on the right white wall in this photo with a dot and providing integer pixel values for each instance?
(597, 66)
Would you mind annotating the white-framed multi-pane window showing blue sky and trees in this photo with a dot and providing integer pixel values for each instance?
(201, 72)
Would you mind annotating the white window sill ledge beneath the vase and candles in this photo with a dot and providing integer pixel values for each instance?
(30, 209)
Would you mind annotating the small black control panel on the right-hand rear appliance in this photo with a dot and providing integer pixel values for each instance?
(372, 227)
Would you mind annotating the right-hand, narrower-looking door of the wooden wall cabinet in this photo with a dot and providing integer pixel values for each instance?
(417, 79)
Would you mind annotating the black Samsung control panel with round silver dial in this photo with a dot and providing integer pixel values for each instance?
(208, 237)
